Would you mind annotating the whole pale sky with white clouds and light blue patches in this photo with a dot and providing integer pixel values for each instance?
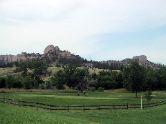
(94, 29)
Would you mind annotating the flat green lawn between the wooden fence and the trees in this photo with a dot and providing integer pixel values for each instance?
(91, 98)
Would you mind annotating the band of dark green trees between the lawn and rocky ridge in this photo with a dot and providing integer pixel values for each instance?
(133, 77)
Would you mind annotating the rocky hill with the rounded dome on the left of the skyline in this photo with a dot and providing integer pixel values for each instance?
(52, 54)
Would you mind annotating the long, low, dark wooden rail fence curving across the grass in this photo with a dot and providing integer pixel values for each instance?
(78, 107)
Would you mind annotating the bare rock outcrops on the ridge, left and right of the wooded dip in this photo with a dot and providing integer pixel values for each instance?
(53, 53)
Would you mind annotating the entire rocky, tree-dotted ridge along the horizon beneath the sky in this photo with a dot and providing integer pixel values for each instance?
(56, 57)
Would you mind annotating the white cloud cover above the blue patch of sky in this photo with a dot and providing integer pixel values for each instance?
(30, 25)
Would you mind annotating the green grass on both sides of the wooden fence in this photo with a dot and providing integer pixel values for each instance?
(10, 114)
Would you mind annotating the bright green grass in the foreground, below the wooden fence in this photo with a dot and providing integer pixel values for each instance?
(10, 114)
